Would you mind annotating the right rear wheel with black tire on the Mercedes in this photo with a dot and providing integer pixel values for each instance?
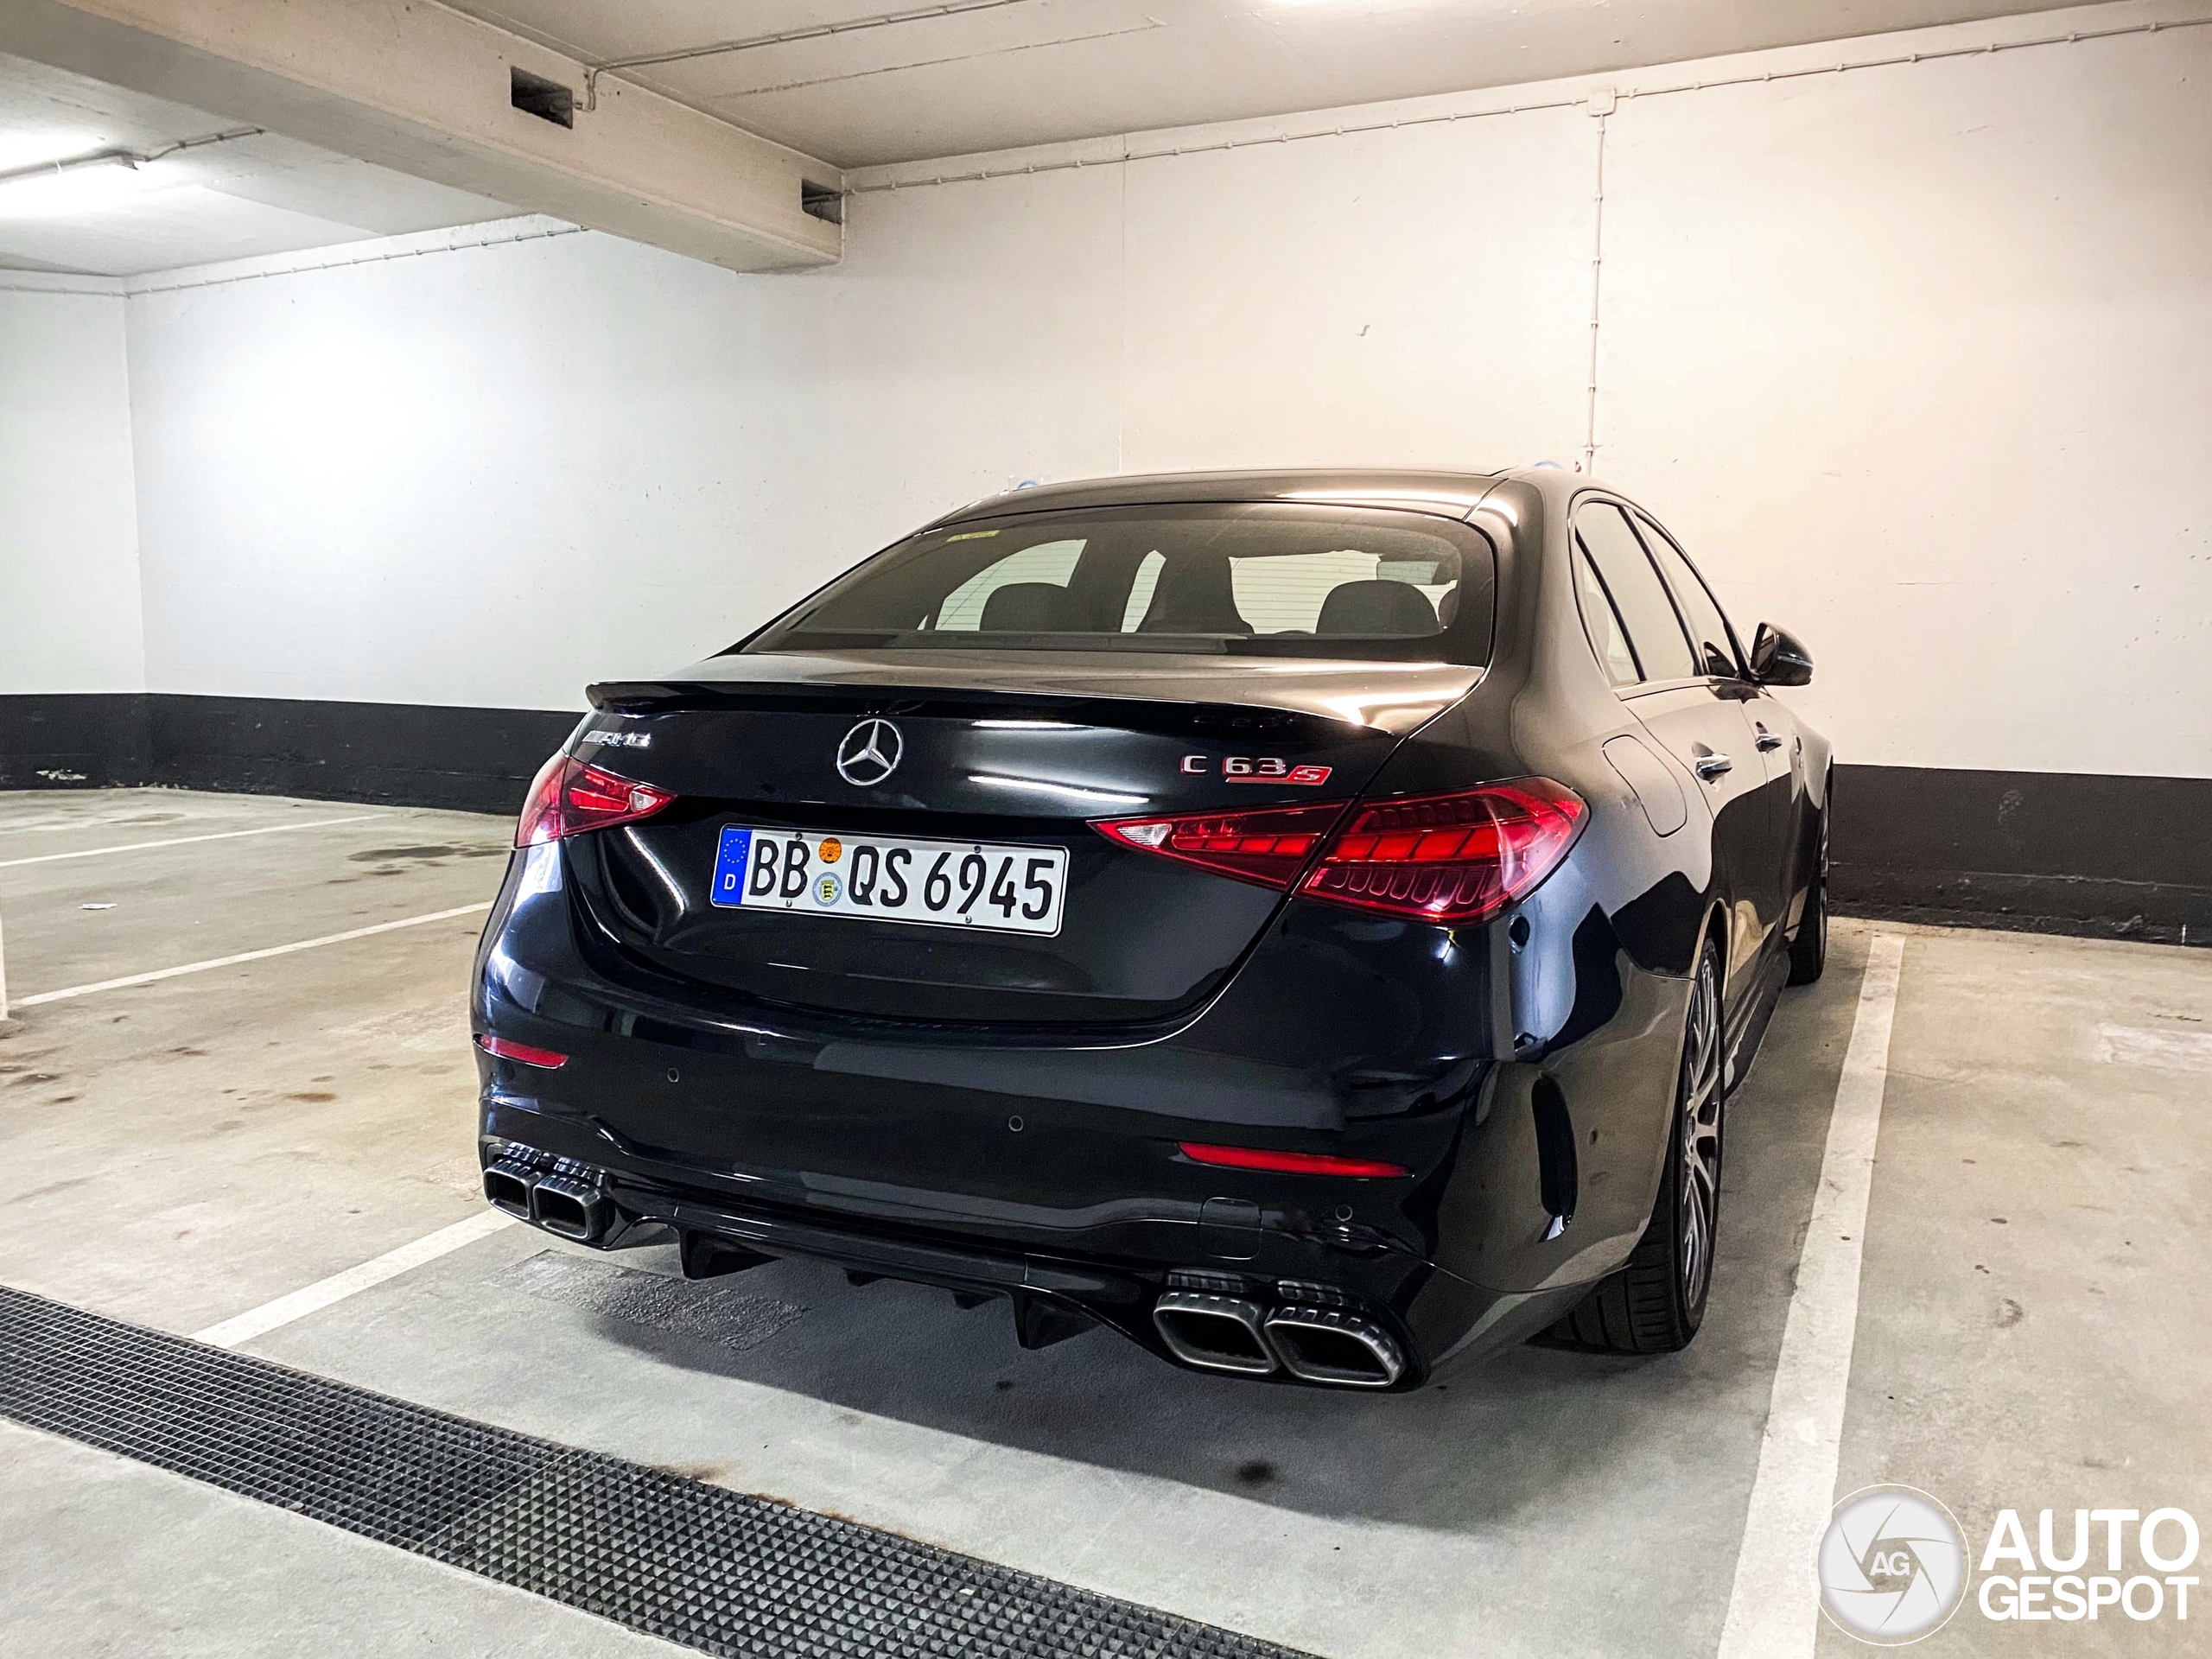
(1658, 1302)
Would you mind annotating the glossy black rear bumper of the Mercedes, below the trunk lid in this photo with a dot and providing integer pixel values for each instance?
(1050, 1173)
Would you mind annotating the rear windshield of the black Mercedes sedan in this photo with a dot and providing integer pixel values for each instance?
(1269, 581)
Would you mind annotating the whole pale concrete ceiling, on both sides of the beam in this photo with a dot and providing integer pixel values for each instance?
(866, 83)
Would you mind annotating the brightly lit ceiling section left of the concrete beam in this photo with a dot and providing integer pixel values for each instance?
(231, 200)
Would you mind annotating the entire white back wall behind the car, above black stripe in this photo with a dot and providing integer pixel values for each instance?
(1917, 359)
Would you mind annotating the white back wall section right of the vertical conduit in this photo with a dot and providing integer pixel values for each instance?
(1921, 362)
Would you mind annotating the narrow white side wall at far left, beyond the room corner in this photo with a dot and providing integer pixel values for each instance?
(70, 581)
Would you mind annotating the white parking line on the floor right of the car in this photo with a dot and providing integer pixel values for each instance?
(1773, 1609)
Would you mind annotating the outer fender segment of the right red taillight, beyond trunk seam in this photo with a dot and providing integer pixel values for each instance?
(1450, 857)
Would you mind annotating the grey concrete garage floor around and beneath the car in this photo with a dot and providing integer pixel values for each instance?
(191, 1149)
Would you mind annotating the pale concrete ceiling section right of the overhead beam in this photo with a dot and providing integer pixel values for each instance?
(1001, 74)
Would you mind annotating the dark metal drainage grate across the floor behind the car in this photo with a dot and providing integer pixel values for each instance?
(687, 1563)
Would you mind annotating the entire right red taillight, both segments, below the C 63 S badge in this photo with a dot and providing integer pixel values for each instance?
(1439, 859)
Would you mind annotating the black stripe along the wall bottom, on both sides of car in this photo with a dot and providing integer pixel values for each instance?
(2063, 853)
